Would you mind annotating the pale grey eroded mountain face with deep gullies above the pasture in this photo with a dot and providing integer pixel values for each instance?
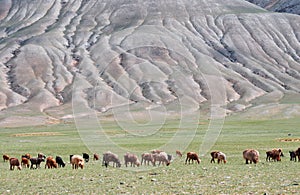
(111, 53)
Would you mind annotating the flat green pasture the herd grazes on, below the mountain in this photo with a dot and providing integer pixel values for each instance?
(235, 177)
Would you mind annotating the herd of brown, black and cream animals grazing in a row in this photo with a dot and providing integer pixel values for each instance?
(153, 157)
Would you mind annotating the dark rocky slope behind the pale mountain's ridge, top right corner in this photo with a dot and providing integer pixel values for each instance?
(290, 6)
